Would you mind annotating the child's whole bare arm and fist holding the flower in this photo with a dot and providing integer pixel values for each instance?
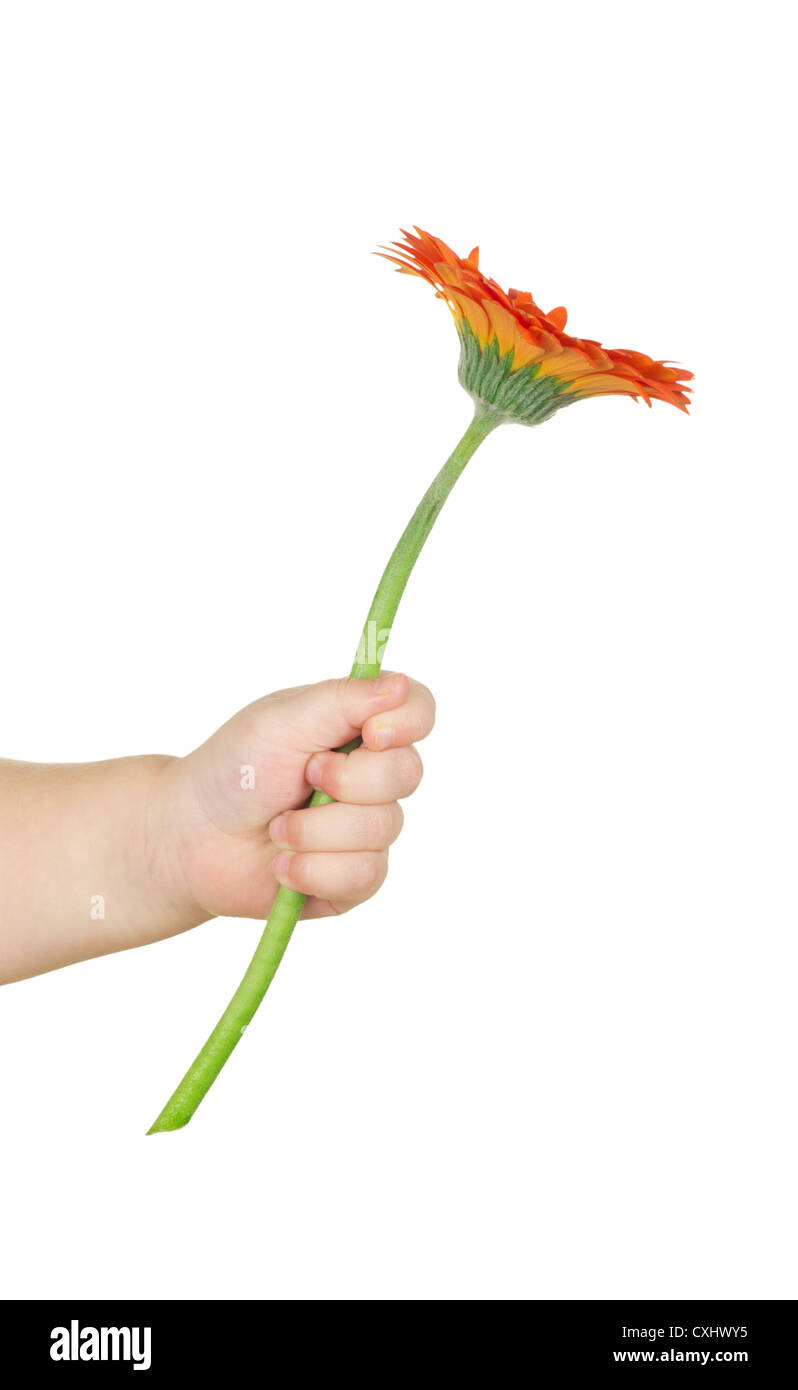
(102, 857)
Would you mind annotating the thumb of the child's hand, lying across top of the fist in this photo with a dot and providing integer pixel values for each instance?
(333, 712)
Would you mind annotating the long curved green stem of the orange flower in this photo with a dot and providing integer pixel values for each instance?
(288, 904)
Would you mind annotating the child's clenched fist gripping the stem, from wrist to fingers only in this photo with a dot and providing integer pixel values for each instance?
(229, 811)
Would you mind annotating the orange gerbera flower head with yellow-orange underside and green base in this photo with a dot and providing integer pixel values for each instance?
(515, 358)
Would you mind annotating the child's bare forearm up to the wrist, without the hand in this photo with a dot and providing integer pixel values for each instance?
(84, 868)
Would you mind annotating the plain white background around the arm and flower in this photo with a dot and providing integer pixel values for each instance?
(557, 1056)
